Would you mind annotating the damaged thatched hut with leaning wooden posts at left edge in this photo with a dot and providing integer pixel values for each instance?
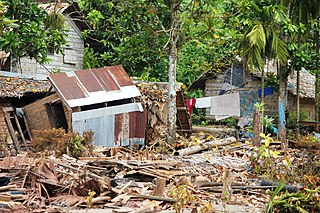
(17, 91)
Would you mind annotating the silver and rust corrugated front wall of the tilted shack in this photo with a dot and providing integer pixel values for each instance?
(113, 126)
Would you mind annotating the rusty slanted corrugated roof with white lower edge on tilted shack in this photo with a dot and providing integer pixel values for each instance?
(91, 86)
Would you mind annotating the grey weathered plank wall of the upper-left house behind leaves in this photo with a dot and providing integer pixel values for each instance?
(71, 60)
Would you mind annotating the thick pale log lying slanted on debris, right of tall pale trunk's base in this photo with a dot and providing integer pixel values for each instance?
(205, 146)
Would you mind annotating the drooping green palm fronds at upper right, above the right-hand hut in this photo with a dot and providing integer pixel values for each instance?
(261, 23)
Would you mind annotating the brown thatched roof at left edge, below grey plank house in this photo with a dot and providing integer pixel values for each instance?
(15, 85)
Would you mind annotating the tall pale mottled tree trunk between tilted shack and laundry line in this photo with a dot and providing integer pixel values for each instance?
(174, 37)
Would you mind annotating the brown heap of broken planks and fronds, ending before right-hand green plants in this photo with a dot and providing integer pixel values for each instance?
(122, 180)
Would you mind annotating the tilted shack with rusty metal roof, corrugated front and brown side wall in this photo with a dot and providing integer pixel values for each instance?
(104, 101)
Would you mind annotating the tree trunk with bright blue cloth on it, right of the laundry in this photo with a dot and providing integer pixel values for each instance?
(283, 81)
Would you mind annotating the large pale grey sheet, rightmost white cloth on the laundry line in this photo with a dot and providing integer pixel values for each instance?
(224, 106)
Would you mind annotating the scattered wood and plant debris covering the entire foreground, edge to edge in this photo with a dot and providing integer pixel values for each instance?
(198, 174)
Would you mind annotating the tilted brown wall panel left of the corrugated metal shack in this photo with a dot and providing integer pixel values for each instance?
(36, 113)
